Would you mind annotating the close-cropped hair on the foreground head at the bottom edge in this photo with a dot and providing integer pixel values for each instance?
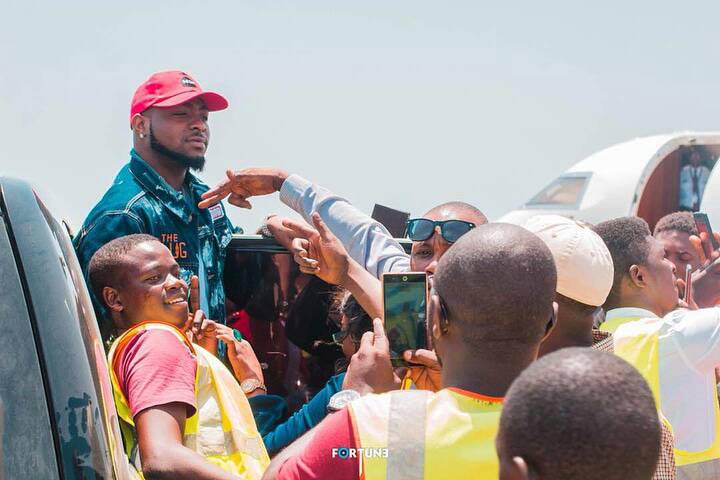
(581, 414)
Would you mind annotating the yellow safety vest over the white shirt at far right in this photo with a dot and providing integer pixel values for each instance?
(638, 342)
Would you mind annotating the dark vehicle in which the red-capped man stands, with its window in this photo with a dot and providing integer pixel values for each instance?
(57, 416)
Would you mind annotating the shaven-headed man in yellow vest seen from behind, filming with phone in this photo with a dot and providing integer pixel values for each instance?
(491, 306)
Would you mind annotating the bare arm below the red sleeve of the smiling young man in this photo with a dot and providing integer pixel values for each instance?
(162, 454)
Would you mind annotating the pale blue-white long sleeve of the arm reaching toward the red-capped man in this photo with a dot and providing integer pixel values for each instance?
(367, 241)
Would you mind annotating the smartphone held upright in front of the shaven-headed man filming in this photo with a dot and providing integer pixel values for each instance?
(404, 301)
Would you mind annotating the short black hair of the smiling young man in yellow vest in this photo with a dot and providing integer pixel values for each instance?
(106, 263)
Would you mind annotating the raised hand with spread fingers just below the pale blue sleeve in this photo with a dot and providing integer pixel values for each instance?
(318, 252)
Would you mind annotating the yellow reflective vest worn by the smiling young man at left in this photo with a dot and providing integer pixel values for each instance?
(222, 429)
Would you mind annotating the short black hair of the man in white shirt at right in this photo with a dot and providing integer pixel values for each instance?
(628, 242)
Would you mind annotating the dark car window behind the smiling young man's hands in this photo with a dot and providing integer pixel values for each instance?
(282, 313)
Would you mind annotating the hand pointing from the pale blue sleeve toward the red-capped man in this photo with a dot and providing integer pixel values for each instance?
(243, 184)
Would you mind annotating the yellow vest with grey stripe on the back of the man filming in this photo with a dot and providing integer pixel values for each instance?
(415, 434)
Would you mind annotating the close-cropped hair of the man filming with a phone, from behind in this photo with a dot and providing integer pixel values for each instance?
(497, 283)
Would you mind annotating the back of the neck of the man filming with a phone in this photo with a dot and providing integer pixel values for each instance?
(488, 373)
